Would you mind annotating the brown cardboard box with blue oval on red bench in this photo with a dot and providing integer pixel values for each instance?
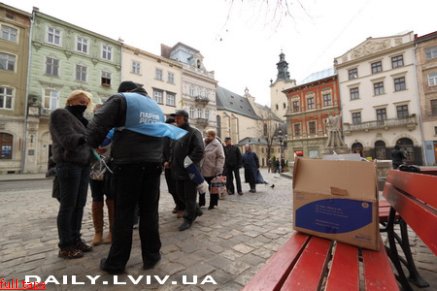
(337, 200)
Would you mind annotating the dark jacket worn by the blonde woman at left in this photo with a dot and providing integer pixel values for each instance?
(68, 136)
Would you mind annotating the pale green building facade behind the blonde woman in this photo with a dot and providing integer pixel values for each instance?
(64, 57)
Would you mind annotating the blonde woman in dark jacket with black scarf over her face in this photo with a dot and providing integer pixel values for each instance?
(72, 156)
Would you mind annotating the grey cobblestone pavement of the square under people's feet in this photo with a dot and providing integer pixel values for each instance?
(228, 244)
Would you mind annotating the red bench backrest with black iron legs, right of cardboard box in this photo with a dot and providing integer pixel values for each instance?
(413, 196)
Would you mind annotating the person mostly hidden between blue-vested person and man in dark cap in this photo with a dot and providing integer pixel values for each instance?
(171, 182)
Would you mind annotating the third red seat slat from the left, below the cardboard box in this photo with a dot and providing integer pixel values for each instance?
(344, 273)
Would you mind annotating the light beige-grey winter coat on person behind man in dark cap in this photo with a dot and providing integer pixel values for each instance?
(213, 159)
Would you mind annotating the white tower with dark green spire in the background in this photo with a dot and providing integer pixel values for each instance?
(278, 100)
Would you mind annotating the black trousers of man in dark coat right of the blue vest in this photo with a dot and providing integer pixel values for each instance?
(187, 190)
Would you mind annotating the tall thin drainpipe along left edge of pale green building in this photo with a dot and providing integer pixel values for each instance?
(26, 96)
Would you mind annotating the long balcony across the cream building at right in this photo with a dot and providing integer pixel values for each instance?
(410, 123)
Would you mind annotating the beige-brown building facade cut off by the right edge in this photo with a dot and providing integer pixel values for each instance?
(426, 55)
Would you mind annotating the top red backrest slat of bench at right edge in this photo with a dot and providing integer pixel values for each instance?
(421, 186)
